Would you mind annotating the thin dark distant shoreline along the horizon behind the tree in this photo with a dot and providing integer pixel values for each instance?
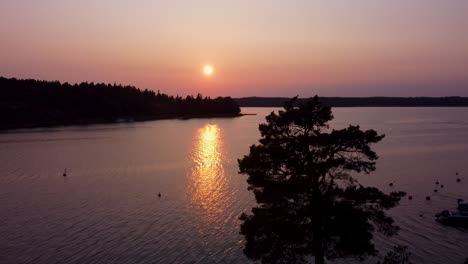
(453, 101)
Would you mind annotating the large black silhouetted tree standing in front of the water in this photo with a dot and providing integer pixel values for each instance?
(309, 205)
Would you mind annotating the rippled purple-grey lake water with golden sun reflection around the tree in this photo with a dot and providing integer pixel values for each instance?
(107, 210)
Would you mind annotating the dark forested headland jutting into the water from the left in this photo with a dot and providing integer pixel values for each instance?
(32, 103)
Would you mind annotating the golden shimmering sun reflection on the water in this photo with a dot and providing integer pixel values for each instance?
(207, 181)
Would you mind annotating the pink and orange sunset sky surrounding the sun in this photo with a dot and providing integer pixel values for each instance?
(256, 47)
